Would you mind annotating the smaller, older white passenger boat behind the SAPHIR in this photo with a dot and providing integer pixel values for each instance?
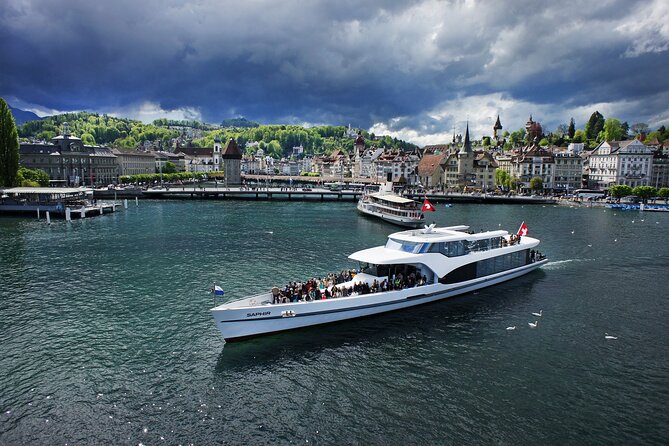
(387, 205)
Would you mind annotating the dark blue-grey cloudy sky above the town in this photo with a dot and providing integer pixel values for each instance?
(413, 69)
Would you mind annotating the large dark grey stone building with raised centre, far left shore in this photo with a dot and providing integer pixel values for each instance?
(69, 162)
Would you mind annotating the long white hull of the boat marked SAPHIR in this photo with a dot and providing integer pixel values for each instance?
(244, 322)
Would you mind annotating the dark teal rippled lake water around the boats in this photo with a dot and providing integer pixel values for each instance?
(107, 338)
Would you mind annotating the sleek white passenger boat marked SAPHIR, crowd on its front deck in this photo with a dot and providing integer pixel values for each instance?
(417, 266)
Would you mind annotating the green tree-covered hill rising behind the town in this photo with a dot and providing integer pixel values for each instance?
(276, 140)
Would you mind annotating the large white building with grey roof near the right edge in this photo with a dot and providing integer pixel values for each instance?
(620, 162)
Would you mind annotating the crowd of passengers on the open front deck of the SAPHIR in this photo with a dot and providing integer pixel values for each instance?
(332, 286)
